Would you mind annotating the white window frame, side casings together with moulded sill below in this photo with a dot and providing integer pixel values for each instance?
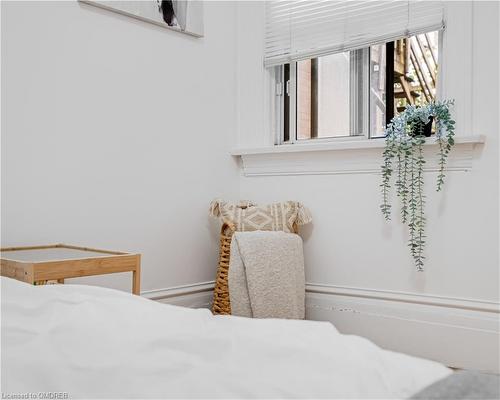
(257, 144)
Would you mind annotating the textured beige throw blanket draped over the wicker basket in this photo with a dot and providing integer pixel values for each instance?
(266, 275)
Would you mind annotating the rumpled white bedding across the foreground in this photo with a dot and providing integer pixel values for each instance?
(101, 343)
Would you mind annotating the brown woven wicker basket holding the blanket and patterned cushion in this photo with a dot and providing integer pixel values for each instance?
(221, 304)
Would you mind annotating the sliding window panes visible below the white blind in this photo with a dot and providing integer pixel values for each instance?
(355, 93)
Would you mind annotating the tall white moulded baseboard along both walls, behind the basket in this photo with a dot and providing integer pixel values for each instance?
(461, 333)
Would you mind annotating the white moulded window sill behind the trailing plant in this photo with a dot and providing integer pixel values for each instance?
(344, 157)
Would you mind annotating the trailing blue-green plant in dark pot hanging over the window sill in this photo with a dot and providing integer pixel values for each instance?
(403, 157)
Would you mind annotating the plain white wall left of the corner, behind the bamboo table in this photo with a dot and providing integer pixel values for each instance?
(116, 134)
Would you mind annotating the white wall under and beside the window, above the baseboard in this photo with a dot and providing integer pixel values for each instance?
(349, 243)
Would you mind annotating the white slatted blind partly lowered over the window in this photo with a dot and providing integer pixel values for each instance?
(302, 29)
